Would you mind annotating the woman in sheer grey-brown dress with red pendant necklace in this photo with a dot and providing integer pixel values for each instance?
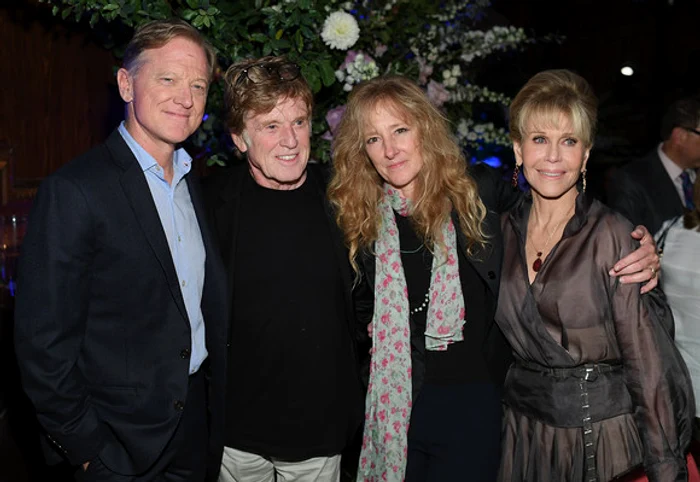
(598, 387)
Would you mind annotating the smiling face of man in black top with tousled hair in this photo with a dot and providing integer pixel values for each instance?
(278, 144)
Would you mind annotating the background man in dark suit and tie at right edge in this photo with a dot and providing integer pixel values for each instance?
(659, 186)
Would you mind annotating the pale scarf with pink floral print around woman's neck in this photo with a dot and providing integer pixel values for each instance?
(385, 438)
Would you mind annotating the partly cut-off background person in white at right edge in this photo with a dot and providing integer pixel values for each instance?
(679, 240)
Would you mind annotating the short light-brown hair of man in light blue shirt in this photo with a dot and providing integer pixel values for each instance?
(156, 33)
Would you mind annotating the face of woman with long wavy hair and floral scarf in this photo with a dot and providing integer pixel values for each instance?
(393, 147)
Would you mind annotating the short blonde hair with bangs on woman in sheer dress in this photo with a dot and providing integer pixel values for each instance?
(548, 95)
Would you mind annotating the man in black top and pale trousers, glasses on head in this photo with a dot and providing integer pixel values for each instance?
(293, 396)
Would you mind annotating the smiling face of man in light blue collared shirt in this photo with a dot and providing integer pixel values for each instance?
(166, 95)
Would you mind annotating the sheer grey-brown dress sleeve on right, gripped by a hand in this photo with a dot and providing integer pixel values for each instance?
(656, 377)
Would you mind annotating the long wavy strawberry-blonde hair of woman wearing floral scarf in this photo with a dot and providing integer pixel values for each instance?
(442, 185)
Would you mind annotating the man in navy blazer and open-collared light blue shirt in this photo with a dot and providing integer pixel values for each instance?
(120, 315)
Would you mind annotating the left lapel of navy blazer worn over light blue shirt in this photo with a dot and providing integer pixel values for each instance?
(138, 193)
